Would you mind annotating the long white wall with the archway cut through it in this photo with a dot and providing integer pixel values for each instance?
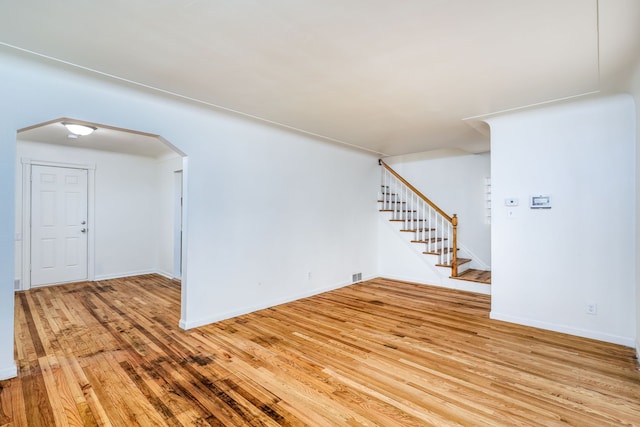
(264, 206)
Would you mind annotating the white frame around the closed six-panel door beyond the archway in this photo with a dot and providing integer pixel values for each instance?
(26, 215)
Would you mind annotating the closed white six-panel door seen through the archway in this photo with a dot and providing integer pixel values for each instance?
(58, 225)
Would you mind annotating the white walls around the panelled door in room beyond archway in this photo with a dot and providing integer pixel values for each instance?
(129, 215)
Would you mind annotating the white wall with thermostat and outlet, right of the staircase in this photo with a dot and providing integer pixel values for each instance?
(548, 264)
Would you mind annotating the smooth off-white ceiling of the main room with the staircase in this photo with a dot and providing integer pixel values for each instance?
(390, 77)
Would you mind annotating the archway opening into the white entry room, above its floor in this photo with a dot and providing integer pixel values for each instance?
(129, 227)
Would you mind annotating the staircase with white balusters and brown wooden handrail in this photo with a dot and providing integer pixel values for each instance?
(433, 232)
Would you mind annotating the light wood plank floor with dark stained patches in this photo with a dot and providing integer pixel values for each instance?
(376, 353)
